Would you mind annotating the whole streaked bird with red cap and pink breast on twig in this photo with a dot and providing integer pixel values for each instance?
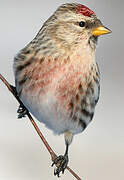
(56, 75)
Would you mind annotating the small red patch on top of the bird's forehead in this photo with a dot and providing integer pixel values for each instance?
(84, 10)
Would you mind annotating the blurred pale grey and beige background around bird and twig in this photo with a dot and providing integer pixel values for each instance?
(97, 153)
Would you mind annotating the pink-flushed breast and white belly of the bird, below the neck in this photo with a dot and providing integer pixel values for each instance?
(63, 91)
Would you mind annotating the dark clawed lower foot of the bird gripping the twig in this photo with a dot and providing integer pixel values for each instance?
(61, 164)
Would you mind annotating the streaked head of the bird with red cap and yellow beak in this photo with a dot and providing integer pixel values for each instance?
(72, 25)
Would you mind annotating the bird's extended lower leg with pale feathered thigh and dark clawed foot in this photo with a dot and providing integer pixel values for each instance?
(61, 162)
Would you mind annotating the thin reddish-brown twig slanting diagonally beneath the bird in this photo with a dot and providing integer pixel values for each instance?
(53, 155)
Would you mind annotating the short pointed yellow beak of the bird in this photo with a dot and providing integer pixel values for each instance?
(97, 31)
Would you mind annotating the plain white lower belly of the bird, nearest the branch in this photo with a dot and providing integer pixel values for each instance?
(47, 110)
